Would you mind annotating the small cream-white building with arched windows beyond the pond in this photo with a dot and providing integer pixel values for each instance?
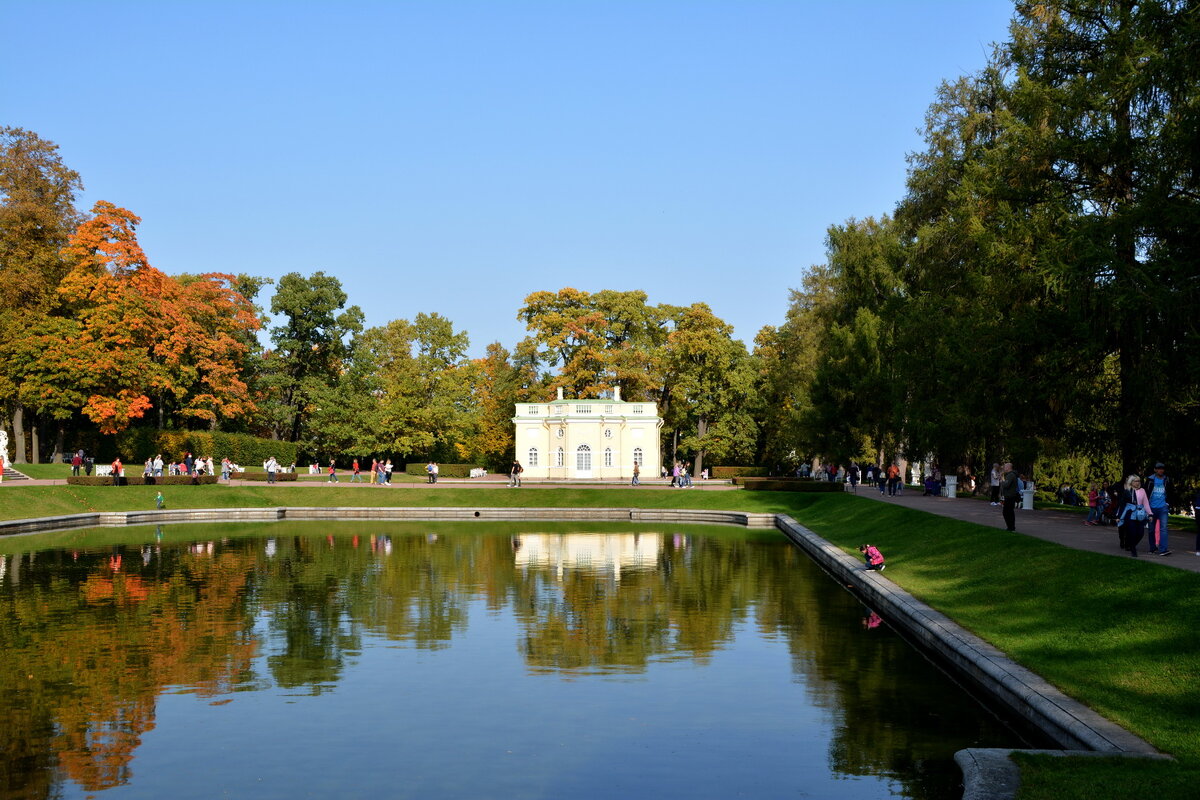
(578, 440)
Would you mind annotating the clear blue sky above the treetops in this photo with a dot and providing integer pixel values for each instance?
(455, 157)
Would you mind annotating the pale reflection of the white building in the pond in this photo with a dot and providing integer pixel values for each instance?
(596, 554)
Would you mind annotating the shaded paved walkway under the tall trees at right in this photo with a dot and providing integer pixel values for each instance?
(1061, 527)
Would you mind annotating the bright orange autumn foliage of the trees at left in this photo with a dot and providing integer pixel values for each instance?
(143, 335)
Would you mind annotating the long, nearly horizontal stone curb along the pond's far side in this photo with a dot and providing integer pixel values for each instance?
(116, 519)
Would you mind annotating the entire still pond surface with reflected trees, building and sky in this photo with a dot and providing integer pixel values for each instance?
(400, 660)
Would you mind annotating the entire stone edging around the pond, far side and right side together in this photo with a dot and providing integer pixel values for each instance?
(988, 773)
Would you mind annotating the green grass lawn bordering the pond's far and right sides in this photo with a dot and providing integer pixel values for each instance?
(1117, 634)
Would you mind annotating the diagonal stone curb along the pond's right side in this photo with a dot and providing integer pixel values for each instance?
(1066, 721)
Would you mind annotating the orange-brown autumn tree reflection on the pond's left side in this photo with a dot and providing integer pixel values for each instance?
(87, 651)
